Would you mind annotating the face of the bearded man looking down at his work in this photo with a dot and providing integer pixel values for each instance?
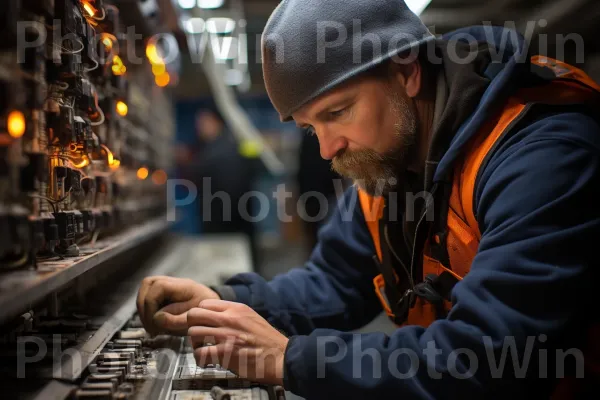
(368, 129)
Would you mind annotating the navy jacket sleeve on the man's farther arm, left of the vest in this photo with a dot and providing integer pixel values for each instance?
(333, 289)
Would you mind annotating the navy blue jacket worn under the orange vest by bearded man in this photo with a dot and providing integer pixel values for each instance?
(530, 288)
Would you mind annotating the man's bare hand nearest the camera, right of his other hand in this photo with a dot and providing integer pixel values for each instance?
(242, 341)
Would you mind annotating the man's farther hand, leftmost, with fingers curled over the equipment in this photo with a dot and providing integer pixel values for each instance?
(164, 301)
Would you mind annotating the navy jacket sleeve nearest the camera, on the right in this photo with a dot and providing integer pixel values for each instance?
(528, 285)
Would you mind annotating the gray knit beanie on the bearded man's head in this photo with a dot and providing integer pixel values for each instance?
(310, 46)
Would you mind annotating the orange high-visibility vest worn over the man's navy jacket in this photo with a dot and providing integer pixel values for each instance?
(570, 86)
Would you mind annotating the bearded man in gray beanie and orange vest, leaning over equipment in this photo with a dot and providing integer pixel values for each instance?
(475, 216)
